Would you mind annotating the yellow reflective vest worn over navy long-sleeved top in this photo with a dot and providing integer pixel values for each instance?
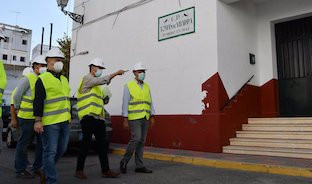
(56, 105)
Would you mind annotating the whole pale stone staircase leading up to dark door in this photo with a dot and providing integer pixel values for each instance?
(283, 137)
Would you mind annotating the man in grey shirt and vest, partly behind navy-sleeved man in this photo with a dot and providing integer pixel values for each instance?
(23, 103)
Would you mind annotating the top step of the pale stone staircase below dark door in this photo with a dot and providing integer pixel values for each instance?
(297, 120)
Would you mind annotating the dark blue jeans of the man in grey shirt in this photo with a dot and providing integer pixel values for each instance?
(27, 134)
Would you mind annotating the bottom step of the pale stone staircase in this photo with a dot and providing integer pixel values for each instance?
(282, 152)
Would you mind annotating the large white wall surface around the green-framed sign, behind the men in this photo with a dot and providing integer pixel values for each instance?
(176, 67)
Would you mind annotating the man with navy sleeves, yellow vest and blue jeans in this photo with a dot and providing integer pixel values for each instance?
(52, 114)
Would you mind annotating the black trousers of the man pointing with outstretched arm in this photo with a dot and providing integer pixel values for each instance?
(91, 126)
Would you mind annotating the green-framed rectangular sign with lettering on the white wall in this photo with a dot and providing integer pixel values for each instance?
(176, 24)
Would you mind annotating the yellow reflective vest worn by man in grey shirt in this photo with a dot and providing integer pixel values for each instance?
(26, 110)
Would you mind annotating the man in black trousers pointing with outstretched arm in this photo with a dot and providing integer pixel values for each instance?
(91, 113)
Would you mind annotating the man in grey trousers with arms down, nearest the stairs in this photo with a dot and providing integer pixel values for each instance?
(137, 110)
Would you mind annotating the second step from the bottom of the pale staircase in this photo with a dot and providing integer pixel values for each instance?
(280, 143)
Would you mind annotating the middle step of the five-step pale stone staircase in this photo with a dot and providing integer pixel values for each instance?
(275, 134)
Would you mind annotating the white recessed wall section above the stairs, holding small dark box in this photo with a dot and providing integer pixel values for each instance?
(237, 37)
